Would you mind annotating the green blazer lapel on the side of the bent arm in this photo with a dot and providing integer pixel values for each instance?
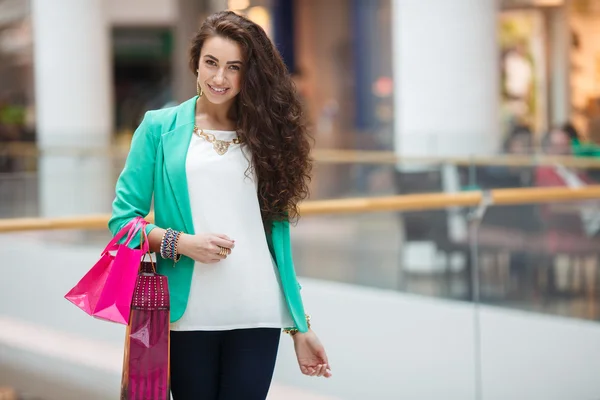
(175, 146)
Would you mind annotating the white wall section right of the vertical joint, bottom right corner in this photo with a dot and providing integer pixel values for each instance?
(531, 356)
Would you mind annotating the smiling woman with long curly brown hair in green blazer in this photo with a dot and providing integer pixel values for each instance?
(227, 169)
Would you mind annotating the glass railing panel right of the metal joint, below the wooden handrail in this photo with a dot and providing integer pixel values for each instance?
(542, 258)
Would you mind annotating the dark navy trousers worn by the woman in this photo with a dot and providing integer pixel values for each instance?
(223, 365)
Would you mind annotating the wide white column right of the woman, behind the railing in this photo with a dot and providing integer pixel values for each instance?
(446, 75)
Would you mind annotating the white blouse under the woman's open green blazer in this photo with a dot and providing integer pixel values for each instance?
(244, 290)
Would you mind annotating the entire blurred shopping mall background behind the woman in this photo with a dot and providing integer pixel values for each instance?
(450, 248)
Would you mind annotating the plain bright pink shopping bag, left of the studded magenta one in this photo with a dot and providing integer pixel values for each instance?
(105, 292)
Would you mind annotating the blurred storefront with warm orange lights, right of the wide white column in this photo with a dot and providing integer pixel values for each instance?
(550, 52)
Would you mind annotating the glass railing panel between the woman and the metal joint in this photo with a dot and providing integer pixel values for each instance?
(425, 253)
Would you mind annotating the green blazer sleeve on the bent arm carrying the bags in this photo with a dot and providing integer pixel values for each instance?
(135, 186)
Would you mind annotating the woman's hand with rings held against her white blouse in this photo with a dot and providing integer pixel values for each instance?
(205, 248)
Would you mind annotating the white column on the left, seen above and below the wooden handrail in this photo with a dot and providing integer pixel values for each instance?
(72, 67)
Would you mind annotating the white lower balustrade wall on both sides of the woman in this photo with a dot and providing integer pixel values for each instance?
(382, 344)
